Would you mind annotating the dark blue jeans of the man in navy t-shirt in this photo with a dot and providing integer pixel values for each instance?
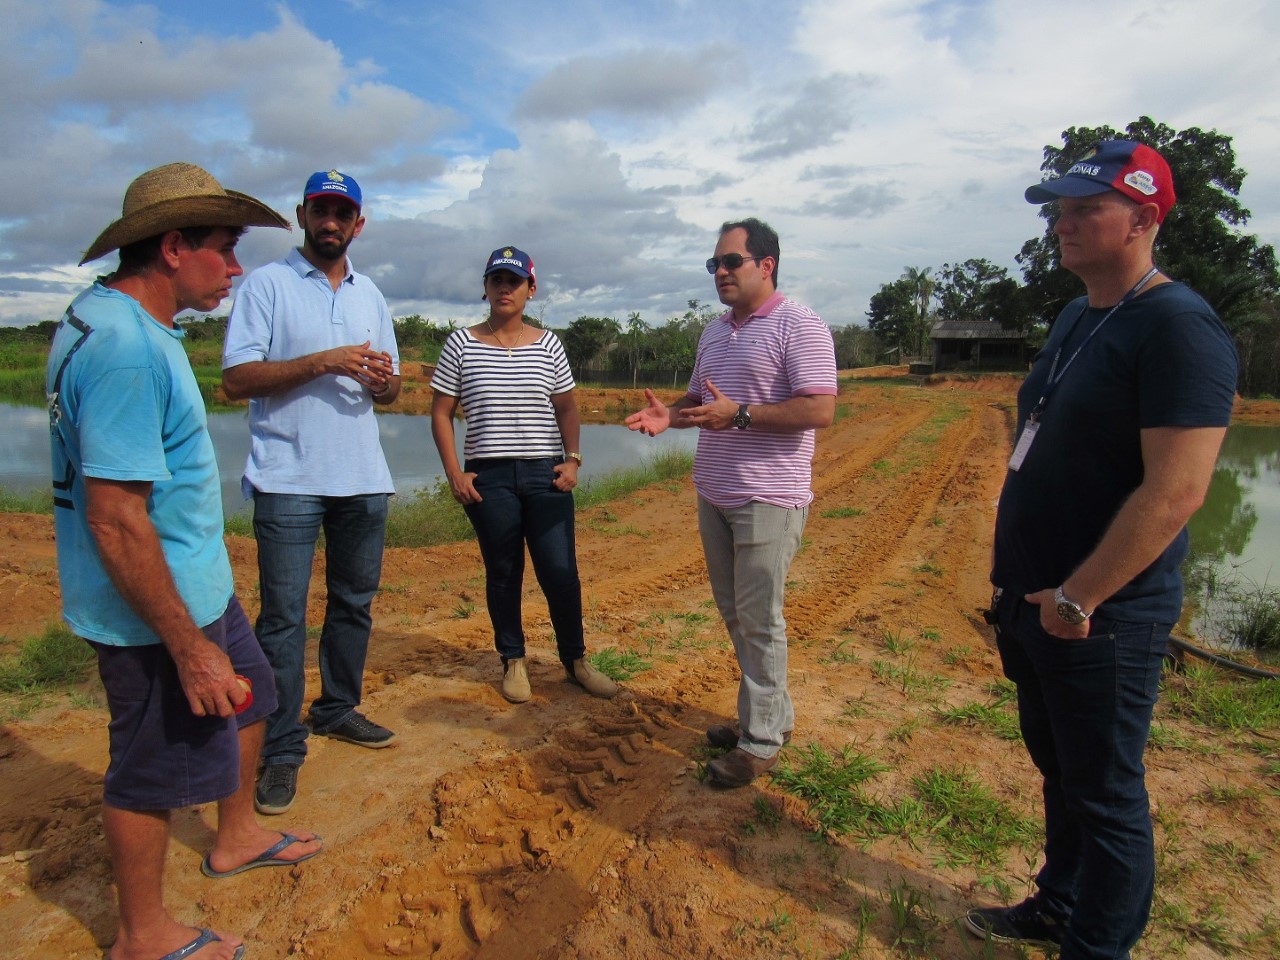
(1085, 708)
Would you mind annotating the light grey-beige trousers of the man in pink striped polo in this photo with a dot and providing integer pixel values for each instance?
(749, 551)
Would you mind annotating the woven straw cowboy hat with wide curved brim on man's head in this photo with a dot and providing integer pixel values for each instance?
(176, 196)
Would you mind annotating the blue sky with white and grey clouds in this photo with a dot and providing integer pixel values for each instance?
(609, 140)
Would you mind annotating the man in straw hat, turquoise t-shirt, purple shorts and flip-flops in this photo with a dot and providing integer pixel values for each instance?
(145, 574)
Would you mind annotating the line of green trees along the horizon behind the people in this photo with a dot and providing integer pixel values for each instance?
(1201, 243)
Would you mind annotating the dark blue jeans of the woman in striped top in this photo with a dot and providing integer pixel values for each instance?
(520, 506)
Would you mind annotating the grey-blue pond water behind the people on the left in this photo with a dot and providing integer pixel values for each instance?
(406, 442)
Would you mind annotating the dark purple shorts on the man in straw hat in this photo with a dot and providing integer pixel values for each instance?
(163, 756)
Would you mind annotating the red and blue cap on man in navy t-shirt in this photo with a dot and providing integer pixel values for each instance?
(1123, 166)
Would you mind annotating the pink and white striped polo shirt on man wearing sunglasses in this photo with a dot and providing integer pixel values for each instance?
(783, 351)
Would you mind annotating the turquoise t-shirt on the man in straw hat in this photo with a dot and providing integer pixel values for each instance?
(125, 405)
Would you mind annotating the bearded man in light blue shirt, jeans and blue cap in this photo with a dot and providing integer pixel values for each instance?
(312, 345)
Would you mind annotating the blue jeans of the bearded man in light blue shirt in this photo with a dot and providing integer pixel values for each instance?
(287, 528)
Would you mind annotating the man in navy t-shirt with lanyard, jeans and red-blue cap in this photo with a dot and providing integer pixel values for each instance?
(1119, 426)
